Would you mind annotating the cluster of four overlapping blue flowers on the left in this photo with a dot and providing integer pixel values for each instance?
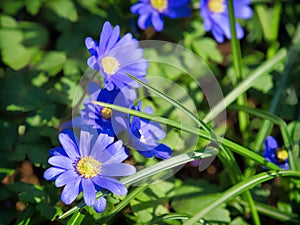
(95, 161)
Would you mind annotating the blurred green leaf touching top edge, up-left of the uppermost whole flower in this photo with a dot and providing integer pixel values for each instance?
(64, 8)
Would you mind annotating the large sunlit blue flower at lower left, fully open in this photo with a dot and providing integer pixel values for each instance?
(88, 166)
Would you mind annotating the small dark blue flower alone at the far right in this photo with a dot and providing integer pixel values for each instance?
(274, 154)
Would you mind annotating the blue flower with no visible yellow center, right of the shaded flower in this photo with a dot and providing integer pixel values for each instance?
(143, 135)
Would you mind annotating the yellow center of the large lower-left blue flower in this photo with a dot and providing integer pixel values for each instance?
(89, 167)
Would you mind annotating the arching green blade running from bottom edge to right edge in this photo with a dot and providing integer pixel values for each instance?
(240, 188)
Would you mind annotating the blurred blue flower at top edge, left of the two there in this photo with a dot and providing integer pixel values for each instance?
(151, 12)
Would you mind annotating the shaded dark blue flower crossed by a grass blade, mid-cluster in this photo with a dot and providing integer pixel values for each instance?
(99, 117)
